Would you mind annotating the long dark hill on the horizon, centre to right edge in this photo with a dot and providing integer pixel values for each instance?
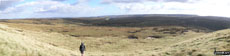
(151, 20)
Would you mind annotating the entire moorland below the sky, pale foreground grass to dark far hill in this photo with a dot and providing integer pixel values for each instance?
(127, 35)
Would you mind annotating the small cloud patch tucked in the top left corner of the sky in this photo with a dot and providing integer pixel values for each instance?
(7, 3)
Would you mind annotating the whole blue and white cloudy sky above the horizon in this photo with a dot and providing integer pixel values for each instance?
(11, 9)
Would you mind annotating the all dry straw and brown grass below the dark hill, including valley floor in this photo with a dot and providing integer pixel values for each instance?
(54, 40)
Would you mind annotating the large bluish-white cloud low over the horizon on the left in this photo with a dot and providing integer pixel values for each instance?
(39, 9)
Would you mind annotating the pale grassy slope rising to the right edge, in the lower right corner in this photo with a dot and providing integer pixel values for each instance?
(201, 46)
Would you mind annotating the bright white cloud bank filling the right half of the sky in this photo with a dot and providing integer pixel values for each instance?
(200, 7)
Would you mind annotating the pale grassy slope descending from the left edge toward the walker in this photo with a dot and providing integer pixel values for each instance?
(13, 43)
